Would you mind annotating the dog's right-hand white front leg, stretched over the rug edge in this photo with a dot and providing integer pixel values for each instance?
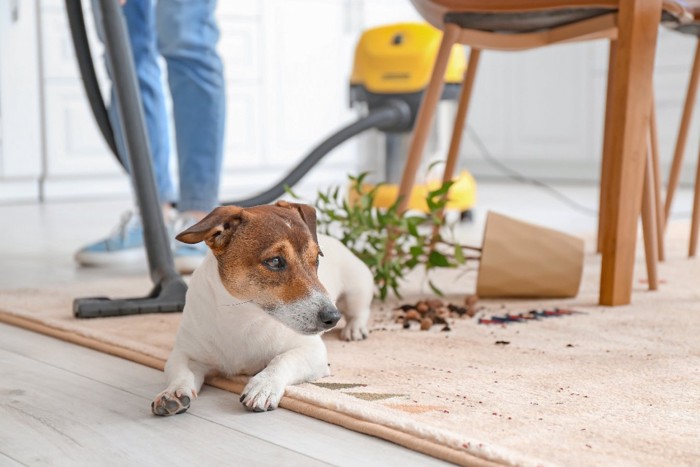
(264, 390)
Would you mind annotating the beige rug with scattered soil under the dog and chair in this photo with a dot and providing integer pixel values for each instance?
(605, 387)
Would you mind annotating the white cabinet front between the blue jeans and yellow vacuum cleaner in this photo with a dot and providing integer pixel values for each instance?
(303, 54)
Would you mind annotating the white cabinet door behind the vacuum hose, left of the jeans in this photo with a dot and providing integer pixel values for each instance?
(78, 161)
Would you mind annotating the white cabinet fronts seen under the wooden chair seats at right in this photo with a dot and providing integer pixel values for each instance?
(541, 112)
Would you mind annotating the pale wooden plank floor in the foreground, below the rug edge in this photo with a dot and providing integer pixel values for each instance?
(61, 404)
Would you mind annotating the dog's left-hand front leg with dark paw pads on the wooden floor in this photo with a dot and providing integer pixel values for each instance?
(185, 378)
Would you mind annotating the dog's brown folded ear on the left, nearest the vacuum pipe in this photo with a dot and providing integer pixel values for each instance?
(216, 229)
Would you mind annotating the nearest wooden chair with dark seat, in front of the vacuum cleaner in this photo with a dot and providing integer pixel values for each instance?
(513, 25)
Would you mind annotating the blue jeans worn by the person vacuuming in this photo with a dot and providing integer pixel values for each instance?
(185, 34)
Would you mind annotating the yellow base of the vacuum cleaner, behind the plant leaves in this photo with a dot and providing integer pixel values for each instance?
(462, 194)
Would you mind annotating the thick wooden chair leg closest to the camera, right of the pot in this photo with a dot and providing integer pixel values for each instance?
(629, 119)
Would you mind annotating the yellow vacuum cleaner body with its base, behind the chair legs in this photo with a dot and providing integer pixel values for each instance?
(395, 62)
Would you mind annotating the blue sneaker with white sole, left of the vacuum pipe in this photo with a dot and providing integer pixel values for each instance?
(123, 246)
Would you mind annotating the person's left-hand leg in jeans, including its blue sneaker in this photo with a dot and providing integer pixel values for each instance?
(125, 244)
